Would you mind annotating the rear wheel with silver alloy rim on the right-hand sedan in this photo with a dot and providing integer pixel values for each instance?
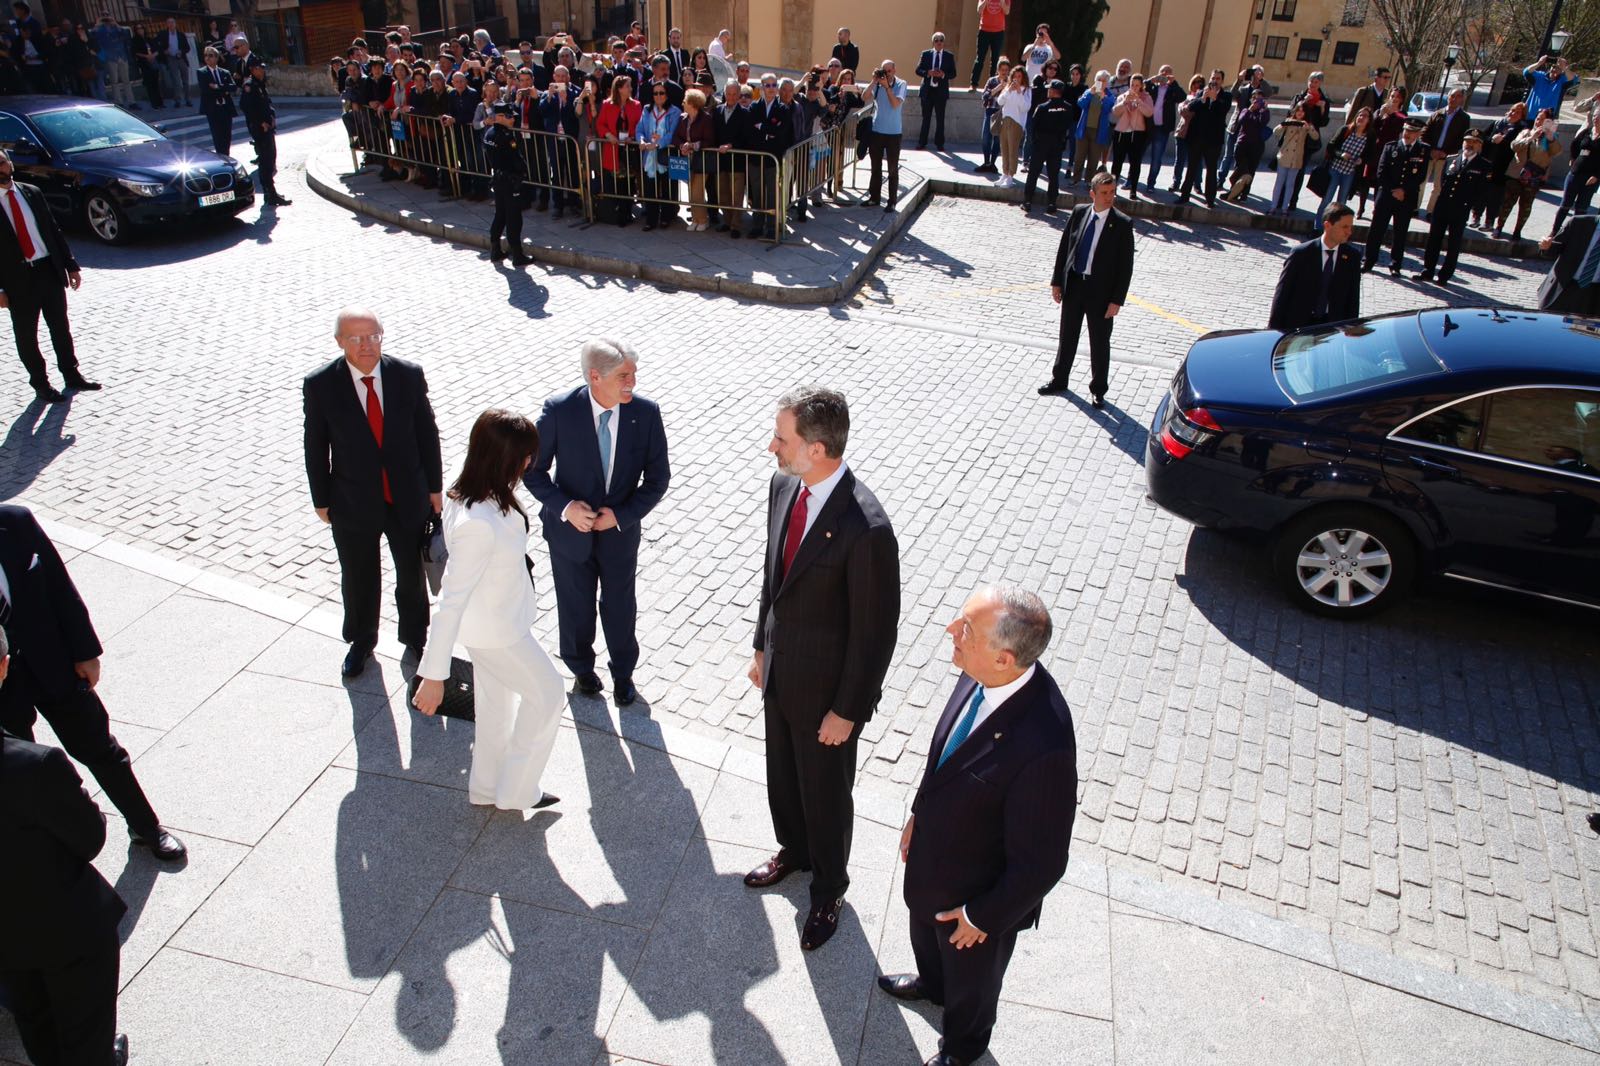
(1345, 563)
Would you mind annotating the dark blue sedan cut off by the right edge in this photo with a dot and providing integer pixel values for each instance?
(1463, 443)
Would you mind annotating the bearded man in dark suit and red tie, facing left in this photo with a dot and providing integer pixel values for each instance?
(825, 636)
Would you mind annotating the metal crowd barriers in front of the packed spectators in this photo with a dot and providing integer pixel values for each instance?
(607, 177)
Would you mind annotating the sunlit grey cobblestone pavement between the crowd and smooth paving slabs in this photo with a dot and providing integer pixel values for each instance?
(1418, 783)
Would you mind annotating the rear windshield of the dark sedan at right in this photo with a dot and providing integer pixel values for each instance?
(1351, 358)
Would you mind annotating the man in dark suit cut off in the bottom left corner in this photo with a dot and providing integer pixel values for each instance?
(60, 956)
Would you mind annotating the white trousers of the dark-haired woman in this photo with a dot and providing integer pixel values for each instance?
(519, 697)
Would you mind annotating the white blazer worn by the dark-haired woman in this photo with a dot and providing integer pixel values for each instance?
(486, 599)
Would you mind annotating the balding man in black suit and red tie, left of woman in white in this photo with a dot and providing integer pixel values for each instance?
(375, 471)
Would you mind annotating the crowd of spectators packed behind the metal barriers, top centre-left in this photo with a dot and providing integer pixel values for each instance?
(652, 127)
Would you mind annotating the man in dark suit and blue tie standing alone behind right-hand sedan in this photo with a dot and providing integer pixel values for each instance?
(1090, 283)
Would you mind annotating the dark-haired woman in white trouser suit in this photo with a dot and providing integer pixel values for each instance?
(487, 604)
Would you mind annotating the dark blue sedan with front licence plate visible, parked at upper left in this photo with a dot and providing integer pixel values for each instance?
(105, 169)
